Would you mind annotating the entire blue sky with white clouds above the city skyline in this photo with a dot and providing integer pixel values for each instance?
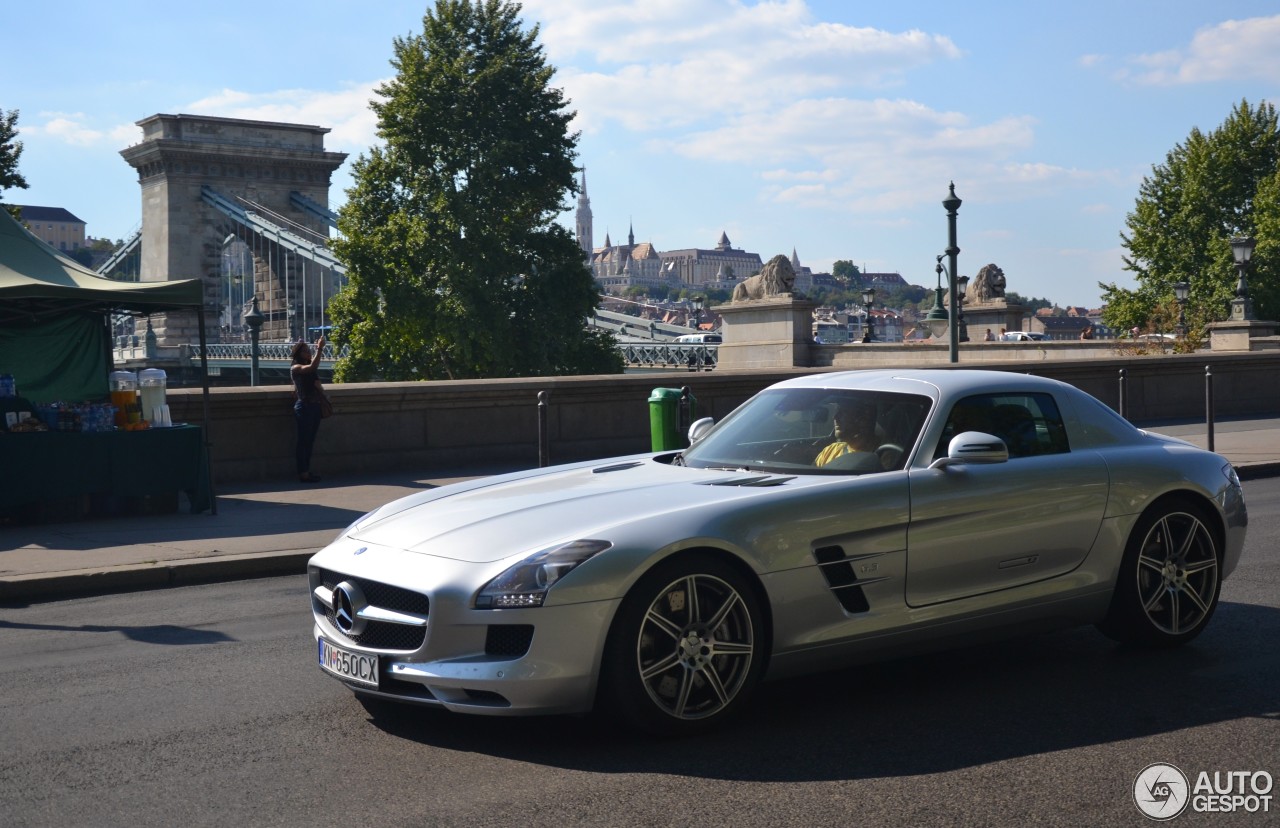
(829, 127)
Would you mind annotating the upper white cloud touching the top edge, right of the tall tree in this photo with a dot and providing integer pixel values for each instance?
(661, 65)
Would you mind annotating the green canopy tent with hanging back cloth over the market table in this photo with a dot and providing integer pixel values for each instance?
(56, 319)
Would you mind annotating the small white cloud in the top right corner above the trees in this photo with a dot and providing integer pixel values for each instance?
(1233, 51)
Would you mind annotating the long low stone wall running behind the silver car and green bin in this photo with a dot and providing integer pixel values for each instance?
(477, 426)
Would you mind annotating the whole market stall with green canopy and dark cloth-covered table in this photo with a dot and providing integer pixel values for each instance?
(56, 346)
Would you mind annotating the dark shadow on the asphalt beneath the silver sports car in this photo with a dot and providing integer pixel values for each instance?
(918, 716)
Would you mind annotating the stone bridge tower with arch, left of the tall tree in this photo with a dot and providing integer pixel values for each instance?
(250, 162)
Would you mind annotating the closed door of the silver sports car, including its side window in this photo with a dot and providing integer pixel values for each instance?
(984, 528)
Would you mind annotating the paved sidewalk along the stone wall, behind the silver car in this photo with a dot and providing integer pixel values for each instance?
(272, 529)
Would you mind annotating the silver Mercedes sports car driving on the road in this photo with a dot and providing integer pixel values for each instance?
(831, 519)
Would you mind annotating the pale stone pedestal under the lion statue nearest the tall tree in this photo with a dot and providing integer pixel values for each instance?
(772, 333)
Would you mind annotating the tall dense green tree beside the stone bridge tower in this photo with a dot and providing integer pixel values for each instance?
(456, 266)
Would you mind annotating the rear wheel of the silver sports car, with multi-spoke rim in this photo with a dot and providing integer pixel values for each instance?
(1169, 580)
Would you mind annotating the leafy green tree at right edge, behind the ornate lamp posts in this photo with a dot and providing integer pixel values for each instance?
(1210, 189)
